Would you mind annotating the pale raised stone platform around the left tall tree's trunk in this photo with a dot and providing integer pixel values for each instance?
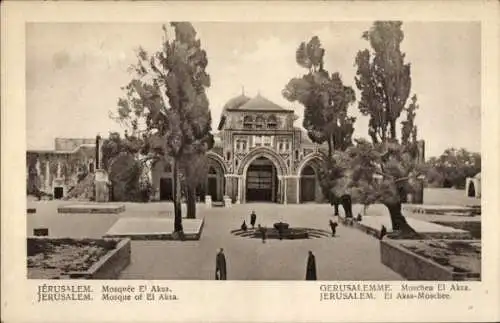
(154, 228)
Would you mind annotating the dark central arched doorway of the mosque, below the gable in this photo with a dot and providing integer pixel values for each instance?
(261, 181)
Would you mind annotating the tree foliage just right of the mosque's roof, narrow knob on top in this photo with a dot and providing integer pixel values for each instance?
(325, 99)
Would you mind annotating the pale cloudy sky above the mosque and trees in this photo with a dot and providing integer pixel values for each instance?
(74, 72)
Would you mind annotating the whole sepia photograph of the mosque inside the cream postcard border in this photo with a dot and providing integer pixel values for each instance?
(273, 151)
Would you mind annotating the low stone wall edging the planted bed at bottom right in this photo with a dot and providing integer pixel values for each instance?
(415, 267)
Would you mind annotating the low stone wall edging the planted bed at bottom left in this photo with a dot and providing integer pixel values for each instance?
(110, 266)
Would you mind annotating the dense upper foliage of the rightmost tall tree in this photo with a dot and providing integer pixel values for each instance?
(383, 78)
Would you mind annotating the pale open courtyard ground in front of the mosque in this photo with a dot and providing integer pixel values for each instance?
(350, 255)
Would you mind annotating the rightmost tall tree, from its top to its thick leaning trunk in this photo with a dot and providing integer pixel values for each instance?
(384, 81)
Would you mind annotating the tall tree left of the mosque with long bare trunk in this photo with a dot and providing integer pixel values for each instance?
(166, 103)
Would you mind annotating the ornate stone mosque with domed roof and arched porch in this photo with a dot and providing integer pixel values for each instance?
(259, 155)
